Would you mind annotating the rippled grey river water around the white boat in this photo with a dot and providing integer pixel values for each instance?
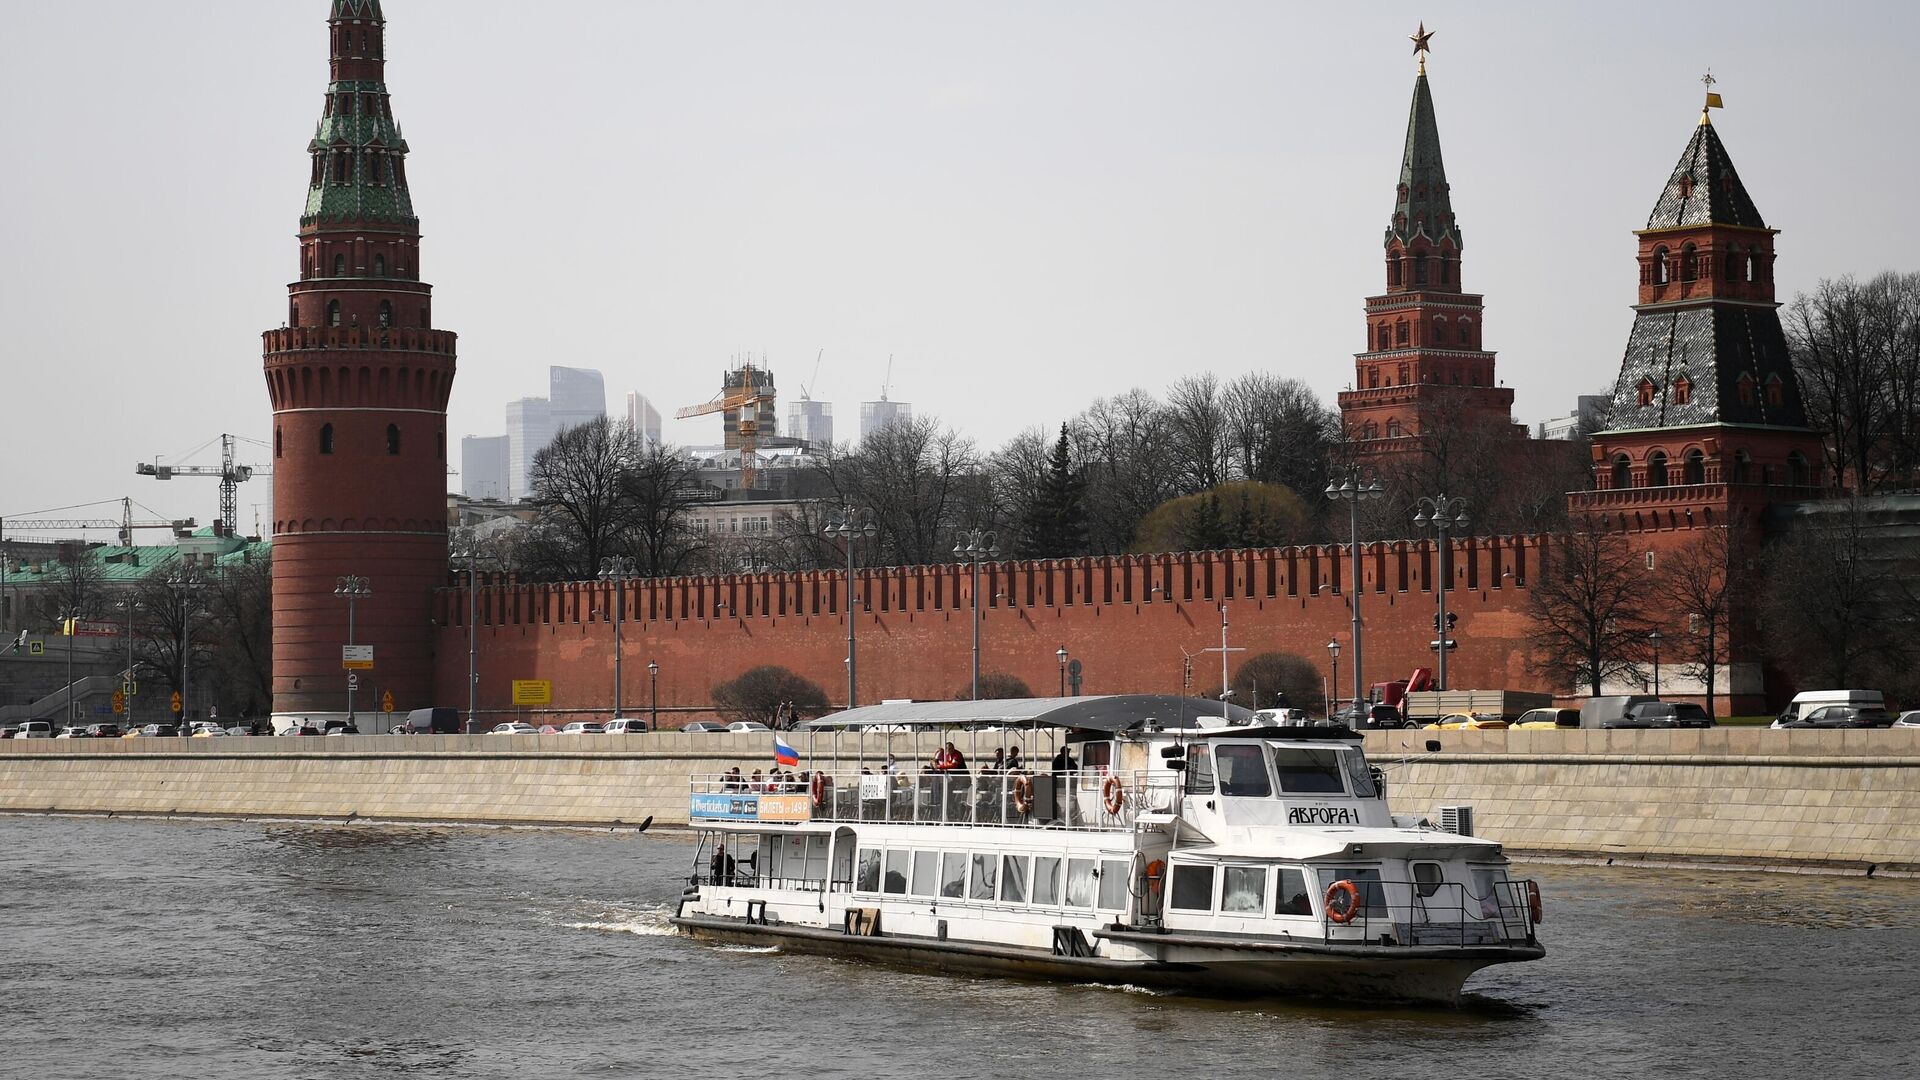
(251, 950)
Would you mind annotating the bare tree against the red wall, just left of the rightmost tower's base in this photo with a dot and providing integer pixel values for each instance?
(1591, 610)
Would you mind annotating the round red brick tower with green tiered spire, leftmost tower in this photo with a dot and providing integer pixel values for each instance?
(360, 387)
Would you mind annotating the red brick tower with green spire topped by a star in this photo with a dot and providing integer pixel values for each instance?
(1424, 335)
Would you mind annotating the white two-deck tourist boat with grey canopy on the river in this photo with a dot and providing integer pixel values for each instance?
(1136, 845)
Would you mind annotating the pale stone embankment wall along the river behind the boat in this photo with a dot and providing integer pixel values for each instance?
(1842, 802)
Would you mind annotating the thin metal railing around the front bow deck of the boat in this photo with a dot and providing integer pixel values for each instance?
(1439, 914)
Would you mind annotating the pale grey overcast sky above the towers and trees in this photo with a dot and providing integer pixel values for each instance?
(1026, 205)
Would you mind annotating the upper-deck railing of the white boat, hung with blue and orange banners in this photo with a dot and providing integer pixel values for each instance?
(1092, 800)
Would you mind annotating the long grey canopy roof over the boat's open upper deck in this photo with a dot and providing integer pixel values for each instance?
(1101, 714)
